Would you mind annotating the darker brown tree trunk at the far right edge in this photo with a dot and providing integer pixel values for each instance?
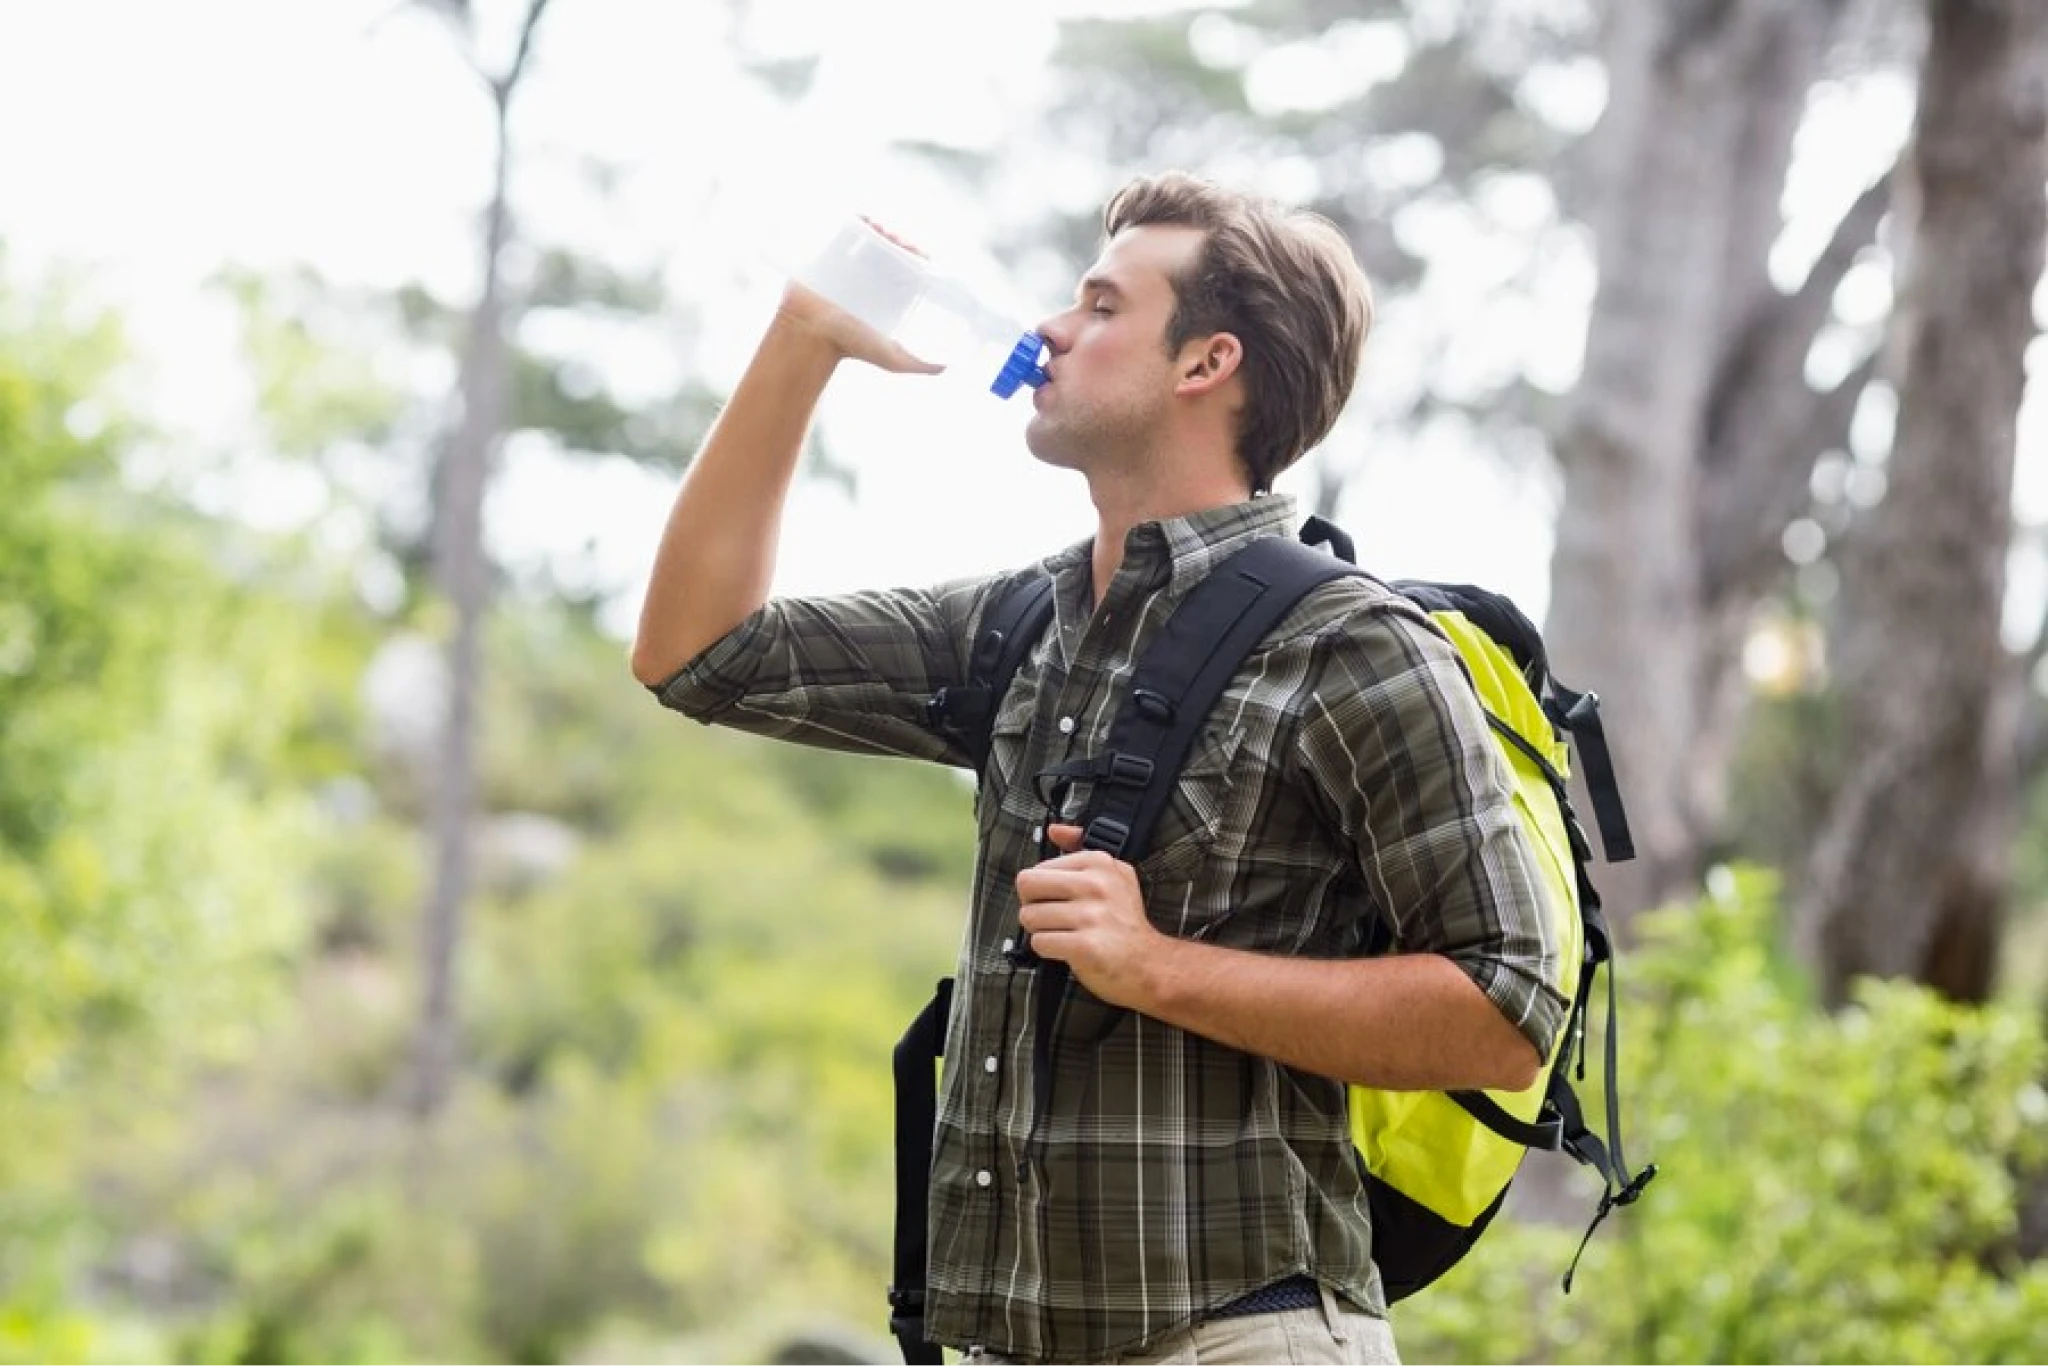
(1924, 579)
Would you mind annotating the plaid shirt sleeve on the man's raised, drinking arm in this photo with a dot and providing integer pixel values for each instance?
(841, 673)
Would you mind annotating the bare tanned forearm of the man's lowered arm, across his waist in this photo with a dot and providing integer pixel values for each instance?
(1398, 1023)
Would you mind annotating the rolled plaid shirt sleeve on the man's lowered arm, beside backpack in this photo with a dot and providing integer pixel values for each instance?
(1400, 746)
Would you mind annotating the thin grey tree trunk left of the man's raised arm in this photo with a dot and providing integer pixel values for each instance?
(464, 572)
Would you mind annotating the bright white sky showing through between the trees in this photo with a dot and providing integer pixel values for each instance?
(155, 142)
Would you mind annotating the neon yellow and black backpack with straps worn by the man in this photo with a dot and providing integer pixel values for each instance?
(1439, 1164)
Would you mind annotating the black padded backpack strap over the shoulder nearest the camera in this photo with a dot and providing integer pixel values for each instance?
(1183, 675)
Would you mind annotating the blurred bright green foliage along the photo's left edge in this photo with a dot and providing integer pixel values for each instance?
(146, 849)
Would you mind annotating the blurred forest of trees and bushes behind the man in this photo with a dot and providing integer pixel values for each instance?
(386, 980)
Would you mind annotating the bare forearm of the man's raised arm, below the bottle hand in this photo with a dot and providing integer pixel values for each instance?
(718, 552)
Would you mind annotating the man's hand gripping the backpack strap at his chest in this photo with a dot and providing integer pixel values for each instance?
(1086, 910)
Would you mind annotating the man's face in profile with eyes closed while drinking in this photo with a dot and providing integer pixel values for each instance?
(1111, 374)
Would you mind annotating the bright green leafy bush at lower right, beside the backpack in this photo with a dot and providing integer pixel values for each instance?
(1834, 1189)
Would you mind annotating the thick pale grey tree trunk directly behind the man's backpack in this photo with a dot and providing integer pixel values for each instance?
(1691, 163)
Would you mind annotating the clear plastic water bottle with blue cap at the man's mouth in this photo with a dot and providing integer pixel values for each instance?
(929, 312)
